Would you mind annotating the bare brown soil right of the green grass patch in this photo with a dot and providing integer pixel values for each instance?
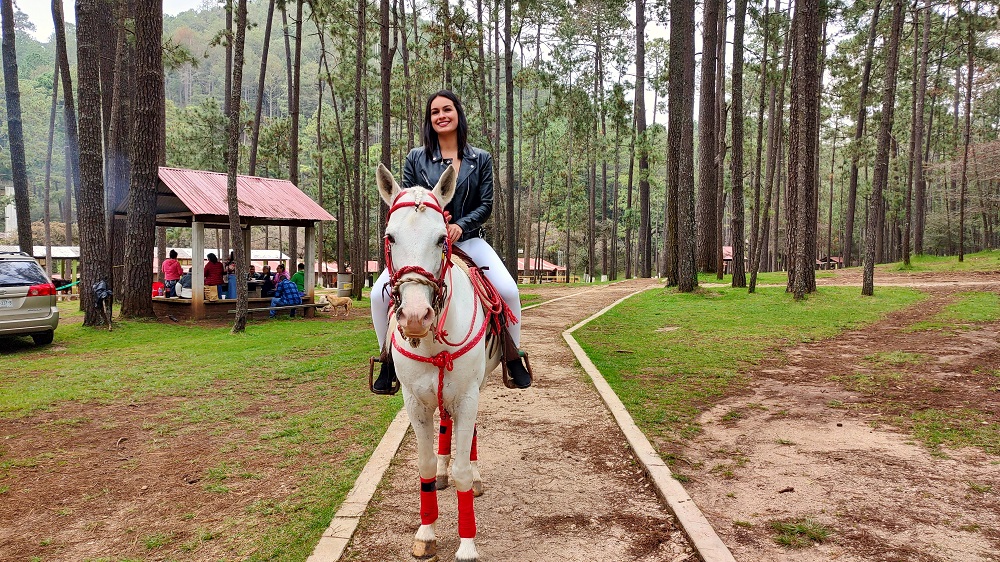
(800, 443)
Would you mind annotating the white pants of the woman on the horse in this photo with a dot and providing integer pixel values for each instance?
(485, 256)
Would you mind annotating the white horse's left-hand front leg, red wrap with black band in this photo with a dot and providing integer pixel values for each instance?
(422, 420)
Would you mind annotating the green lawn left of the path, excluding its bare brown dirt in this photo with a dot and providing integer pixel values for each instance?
(288, 395)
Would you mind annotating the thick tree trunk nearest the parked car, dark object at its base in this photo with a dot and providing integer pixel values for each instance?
(94, 264)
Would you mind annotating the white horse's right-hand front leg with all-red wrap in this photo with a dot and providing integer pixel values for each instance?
(464, 474)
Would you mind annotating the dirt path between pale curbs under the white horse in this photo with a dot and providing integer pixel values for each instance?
(560, 482)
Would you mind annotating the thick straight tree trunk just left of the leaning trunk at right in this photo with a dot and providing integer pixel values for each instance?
(802, 155)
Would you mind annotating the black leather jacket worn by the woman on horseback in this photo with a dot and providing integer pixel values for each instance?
(473, 201)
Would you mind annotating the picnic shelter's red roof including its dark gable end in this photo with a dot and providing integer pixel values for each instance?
(187, 195)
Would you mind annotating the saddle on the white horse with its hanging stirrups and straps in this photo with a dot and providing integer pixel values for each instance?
(499, 315)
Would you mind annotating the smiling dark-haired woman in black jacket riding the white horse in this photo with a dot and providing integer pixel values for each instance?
(445, 133)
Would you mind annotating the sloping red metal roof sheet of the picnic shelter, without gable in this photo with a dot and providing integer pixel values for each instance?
(205, 193)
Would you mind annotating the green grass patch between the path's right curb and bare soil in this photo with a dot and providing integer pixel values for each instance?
(669, 356)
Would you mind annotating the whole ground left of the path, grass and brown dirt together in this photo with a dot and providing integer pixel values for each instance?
(182, 441)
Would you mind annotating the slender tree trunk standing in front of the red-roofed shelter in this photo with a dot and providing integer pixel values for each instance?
(232, 167)
